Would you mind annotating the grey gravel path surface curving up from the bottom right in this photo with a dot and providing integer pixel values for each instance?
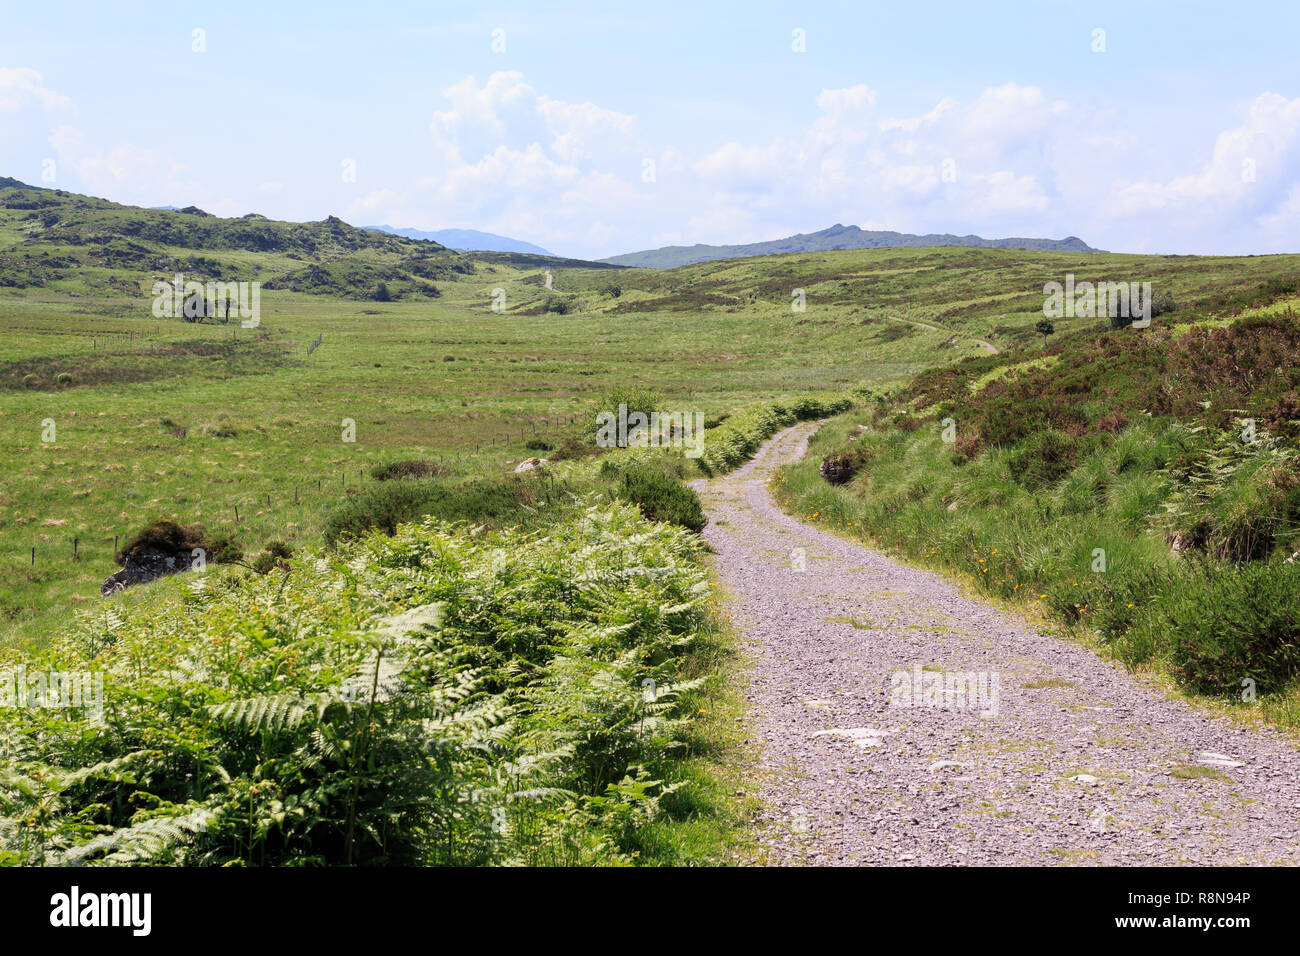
(1074, 762)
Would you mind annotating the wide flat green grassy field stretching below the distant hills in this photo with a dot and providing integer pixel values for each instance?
(194, 421)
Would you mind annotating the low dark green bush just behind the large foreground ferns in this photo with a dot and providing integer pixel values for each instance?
(387, 507)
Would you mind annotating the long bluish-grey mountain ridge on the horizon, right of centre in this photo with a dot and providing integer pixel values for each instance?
(835, 237)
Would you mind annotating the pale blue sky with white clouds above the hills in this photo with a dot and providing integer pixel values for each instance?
(606, 128)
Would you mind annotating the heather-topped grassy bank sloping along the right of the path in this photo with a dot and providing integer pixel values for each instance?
(1162, 533)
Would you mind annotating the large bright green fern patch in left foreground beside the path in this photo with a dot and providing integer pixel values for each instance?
(435, 698)
